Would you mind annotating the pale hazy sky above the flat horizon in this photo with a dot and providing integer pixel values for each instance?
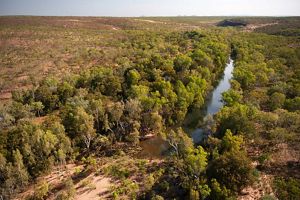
(150, 7)
